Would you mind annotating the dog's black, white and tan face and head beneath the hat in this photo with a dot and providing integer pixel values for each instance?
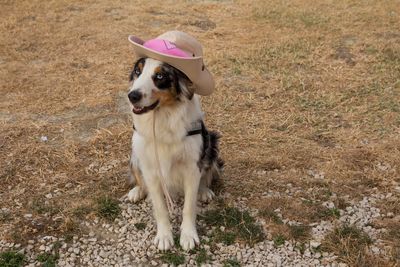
(155, 84)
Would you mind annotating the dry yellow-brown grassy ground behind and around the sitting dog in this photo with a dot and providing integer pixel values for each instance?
(307, 101)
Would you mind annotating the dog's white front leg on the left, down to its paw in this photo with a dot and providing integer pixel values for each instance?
(163, 239)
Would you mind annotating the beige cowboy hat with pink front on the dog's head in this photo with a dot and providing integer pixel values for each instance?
(181, 51)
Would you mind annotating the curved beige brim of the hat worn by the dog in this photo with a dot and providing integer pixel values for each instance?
(192, 67)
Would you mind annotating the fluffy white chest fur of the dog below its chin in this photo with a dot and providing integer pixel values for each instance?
(175, 149)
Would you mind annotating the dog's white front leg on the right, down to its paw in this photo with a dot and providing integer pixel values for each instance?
(189, 237)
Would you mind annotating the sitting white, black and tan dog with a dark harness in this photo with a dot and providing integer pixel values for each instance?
(187, 151)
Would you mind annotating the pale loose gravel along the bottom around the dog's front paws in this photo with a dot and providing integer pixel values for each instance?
(121, 243)
